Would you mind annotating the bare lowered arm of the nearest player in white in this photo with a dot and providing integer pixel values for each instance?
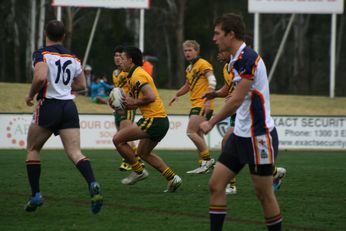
(230, 106)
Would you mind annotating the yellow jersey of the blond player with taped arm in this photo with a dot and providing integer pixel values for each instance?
(198, 82)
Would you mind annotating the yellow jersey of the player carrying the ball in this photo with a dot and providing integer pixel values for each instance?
(137, 78)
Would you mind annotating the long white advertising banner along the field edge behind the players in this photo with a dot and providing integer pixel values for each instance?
(295, 132)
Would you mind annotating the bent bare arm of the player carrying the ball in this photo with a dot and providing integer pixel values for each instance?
(148, 96)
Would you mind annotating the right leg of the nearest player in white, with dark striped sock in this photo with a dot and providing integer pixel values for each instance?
(266, 196)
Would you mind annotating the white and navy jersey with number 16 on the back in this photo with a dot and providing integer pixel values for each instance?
(63, 67)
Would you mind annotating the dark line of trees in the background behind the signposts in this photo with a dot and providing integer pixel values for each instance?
(302, 69)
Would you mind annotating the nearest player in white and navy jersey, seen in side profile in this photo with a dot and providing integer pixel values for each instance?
(254, 141)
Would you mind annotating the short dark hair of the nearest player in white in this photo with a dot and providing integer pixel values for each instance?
(232, 22)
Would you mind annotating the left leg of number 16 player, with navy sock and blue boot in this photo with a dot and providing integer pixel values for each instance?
(37, 136)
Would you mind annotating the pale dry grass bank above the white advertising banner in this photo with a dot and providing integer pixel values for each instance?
(280, 104)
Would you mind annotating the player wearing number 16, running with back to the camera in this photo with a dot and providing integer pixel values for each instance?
(56, 73)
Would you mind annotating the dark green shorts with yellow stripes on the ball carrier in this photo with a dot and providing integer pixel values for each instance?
(156, 128)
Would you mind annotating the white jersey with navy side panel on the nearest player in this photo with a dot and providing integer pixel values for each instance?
(253, 116)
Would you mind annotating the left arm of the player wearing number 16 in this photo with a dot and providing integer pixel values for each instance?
(40, 77)
